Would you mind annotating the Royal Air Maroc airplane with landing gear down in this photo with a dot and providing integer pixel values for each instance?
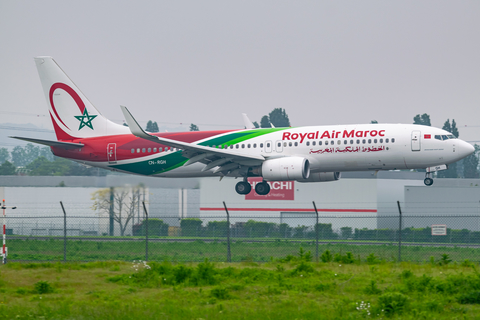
(303, 154)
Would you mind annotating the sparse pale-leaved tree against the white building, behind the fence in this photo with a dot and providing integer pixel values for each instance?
(125, 203)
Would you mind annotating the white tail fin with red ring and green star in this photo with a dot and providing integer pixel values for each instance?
(73, 116)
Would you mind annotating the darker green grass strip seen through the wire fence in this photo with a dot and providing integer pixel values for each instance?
(197, 251)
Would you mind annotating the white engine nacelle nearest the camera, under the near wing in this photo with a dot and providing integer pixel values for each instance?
(285, 169)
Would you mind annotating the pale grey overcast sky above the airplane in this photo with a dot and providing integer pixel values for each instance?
(206, 62)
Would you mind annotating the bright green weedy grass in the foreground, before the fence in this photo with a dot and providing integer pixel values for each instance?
(291, 287)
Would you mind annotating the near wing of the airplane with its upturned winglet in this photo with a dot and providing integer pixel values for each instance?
(225, 159)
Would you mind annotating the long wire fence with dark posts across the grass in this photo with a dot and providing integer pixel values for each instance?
(239, 237)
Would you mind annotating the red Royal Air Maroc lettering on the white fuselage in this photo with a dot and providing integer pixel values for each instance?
(333, 134)
